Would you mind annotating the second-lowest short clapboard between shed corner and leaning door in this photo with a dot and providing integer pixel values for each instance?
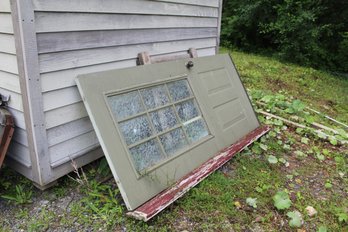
(68, 131)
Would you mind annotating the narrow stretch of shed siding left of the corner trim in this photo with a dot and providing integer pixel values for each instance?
(9, 85)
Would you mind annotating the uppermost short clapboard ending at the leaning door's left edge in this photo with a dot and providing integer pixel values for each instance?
(61, 97)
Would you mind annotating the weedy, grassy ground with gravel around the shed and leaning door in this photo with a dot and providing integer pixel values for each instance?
(292, 178)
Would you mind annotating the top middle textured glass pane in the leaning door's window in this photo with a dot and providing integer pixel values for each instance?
(155, 96)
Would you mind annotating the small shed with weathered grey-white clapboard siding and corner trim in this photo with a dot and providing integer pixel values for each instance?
(45, 44)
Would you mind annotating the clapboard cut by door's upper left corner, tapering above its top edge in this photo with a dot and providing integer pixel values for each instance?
(66, 78)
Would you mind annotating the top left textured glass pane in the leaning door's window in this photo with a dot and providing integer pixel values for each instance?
(125, 105)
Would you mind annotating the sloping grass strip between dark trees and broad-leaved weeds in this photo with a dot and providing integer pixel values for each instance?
(326, 92)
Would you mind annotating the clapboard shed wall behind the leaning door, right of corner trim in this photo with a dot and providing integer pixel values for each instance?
(77, 37)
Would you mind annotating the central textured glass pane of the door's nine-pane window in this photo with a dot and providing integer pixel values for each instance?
(163, 119)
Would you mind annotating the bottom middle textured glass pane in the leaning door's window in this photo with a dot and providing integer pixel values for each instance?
(173, 141)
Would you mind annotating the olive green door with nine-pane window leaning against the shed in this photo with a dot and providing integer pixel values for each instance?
(156, 123)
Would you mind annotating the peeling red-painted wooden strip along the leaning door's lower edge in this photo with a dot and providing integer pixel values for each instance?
(154, 206)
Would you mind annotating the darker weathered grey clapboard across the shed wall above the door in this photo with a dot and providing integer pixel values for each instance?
(66, 41)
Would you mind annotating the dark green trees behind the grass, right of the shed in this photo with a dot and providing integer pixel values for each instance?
(306, 32)
